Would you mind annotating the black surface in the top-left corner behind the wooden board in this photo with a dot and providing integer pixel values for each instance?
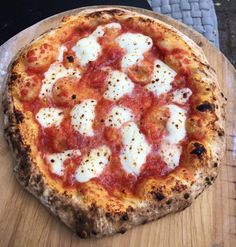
(15, 15)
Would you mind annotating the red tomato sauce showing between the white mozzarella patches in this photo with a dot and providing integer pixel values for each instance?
(93, 81)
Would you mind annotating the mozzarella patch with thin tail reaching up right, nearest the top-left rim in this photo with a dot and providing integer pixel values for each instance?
(88, 49)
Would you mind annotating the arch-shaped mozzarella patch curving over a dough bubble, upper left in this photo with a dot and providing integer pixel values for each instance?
(55, 72)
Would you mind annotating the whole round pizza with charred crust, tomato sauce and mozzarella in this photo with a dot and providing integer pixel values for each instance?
(114, 119)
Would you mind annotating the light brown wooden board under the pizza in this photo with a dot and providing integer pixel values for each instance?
(210, 221)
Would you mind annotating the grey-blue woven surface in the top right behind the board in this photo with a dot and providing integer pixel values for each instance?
(199, 14)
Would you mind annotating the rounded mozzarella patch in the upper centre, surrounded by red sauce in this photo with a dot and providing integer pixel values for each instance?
(118, 85)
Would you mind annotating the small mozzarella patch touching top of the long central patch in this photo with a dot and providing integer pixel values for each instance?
(118, 116)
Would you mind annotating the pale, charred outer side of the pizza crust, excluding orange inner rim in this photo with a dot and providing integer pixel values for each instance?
(91, 220)
